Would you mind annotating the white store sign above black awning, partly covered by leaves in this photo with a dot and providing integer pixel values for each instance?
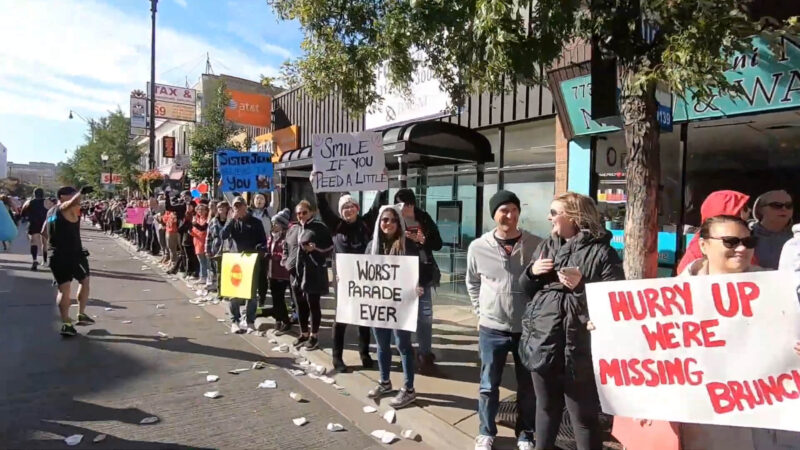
(426, 98)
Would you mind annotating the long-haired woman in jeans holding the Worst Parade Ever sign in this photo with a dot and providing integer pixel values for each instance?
(389, 238)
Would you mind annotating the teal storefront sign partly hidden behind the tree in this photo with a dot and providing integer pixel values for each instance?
(771, 82)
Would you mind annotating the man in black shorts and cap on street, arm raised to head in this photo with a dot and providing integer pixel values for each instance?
(68, 260)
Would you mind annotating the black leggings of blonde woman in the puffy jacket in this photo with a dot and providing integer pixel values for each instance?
(552, 392)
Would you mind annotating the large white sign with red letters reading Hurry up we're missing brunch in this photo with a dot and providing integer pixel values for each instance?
(704, 349)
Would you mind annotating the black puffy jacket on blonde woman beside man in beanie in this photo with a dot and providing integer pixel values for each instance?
(554, 335)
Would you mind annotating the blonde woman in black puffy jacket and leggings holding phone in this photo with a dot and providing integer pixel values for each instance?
(555, 344)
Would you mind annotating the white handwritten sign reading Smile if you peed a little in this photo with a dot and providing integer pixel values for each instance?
(345, 162)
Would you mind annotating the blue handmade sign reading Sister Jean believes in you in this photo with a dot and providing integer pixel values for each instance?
(245, 171)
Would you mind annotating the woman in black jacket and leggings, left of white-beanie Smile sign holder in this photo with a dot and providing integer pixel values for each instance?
(310, 281)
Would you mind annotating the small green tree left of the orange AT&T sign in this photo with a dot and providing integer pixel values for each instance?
(213, 133)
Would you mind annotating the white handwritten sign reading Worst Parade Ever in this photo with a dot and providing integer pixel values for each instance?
(377, 291)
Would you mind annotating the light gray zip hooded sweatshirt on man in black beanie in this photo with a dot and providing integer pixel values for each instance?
(492, 280)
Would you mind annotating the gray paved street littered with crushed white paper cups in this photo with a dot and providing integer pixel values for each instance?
(114, 374)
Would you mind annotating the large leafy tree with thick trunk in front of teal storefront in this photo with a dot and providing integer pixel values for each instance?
(492, 45)
